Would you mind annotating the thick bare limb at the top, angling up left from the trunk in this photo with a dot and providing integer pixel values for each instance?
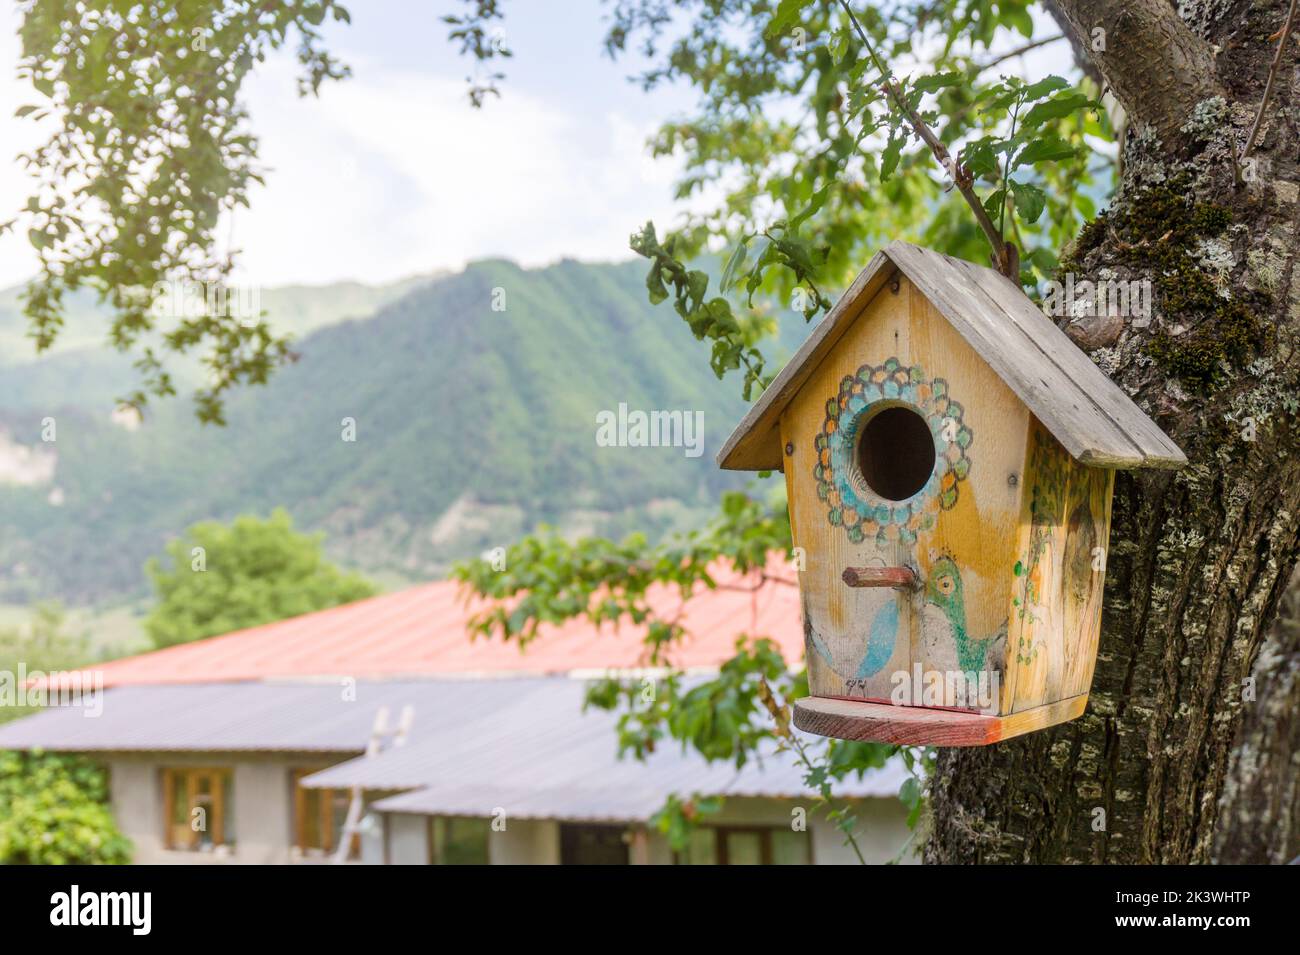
(1156, 67)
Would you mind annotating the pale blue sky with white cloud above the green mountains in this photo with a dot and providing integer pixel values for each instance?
(392, 173)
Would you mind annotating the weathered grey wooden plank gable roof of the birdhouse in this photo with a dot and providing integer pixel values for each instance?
(1087, 413)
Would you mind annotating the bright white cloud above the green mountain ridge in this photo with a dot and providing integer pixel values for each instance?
(392, 173)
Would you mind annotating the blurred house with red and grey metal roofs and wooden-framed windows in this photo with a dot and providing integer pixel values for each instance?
(250, 748)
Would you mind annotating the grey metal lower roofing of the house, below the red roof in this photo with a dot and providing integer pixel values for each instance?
(523, 745)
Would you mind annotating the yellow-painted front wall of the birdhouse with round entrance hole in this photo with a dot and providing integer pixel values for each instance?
(957, 532)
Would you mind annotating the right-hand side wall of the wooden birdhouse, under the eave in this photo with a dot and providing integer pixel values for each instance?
(1059, 576)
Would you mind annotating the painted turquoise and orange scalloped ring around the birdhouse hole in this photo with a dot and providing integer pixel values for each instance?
(850, 503)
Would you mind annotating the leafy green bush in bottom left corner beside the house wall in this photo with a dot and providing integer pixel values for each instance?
(54, 813)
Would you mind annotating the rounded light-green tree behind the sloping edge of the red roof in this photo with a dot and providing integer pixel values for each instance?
(226, 578)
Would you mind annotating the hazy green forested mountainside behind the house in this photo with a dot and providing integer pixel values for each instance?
(471, 427)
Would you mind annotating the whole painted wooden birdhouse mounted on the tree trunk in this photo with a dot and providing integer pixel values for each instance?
(950, 458)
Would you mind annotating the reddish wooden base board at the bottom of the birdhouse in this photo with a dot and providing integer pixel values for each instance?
(885, 723)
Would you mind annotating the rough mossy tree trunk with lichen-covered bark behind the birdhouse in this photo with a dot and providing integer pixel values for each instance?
(1163, 769)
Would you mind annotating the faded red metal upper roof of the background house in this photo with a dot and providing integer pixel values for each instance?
(422, 632)
